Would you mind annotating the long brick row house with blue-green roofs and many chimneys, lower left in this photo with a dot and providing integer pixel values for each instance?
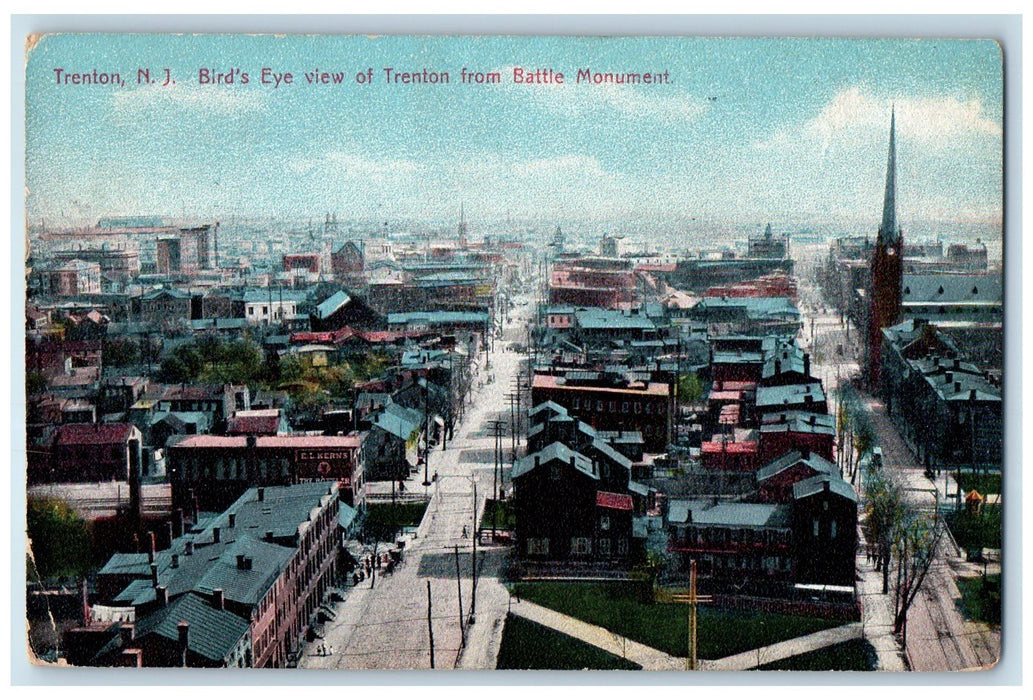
(244, 589)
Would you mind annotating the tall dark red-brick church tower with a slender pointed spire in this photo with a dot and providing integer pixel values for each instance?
(888, 270)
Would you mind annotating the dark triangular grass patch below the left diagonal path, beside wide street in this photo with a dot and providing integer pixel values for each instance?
(528, 646)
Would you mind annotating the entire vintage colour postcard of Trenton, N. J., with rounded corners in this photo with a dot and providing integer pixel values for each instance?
(514, 353)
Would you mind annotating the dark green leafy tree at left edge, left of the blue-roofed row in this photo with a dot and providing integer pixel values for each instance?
(60, 540)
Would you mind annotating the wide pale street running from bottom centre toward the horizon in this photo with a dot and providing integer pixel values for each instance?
(386, 627)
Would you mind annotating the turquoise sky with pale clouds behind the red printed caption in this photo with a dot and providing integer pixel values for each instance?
(747, 128)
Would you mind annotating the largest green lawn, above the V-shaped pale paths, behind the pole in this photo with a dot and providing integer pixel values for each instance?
(665, 626)
